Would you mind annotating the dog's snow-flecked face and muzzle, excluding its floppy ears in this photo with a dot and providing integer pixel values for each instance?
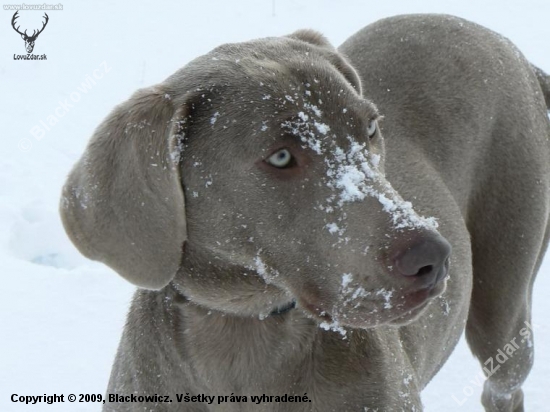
(282, 165)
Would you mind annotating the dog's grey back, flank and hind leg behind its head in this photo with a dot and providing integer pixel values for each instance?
(466, 127)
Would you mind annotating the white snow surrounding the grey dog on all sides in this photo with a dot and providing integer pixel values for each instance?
(61, 315)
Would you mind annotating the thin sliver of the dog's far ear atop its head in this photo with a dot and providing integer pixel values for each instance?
(332, 55)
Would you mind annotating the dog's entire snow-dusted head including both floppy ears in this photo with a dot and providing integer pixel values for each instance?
(251, 178)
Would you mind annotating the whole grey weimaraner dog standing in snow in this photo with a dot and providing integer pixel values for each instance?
(288, 210)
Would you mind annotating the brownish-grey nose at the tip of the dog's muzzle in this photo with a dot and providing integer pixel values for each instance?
(427, 258)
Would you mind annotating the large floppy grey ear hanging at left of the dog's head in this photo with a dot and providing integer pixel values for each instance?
(123, 203)
